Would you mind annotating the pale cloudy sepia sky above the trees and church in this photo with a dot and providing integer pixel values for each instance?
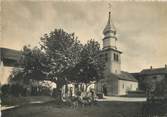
(141, 26)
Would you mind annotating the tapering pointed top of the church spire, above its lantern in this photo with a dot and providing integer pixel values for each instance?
(110, 26)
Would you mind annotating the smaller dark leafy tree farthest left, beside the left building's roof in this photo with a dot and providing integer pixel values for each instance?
(33, 63)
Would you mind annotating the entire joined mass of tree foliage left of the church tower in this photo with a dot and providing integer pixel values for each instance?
(62, 58)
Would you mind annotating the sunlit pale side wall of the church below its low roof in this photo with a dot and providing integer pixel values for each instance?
(124, 86)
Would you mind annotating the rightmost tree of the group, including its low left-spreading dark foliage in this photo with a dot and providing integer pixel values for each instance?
(91, 66)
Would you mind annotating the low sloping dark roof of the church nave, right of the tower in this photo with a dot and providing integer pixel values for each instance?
(123, 76)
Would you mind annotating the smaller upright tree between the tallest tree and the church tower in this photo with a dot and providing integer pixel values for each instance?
(92, 61)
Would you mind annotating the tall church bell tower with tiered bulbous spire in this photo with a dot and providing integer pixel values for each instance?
(111, 53)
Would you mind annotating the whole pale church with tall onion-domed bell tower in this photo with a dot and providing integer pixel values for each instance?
(115, 82)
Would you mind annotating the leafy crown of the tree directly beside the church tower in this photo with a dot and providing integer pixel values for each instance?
(92, 54)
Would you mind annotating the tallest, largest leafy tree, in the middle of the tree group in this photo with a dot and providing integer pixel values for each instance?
(63, 51)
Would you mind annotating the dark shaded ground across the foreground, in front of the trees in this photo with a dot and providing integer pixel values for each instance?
(102, 109)
